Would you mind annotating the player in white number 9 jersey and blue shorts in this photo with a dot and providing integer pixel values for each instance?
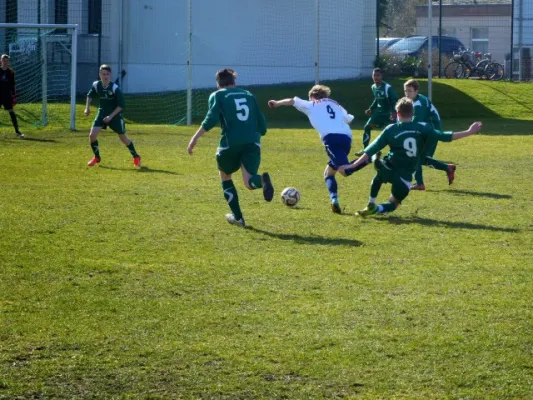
(331, 121)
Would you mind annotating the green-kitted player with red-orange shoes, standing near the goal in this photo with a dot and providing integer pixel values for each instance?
(109, 114)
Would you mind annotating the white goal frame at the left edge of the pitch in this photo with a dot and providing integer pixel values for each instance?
(73, 30)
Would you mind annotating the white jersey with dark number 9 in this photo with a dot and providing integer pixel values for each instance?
(326, 115)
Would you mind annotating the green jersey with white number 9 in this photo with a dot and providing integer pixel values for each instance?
(405, 140)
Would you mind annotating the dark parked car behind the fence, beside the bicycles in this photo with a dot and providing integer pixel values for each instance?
(414, 45)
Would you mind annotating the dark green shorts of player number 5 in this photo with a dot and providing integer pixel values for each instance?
(230, 159)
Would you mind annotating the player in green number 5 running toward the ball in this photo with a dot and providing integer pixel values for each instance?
(242, 124)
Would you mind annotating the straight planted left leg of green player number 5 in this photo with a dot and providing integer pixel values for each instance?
(229, 161)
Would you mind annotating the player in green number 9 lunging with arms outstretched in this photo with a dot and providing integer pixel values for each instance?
(405, 139)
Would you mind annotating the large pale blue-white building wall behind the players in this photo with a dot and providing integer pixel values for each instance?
(265, 41)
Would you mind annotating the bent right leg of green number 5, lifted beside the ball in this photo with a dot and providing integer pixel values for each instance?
(250, 162)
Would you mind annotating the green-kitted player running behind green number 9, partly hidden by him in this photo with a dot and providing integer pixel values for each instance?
(425, 111)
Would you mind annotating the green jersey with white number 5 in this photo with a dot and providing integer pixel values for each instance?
(241, 120)
